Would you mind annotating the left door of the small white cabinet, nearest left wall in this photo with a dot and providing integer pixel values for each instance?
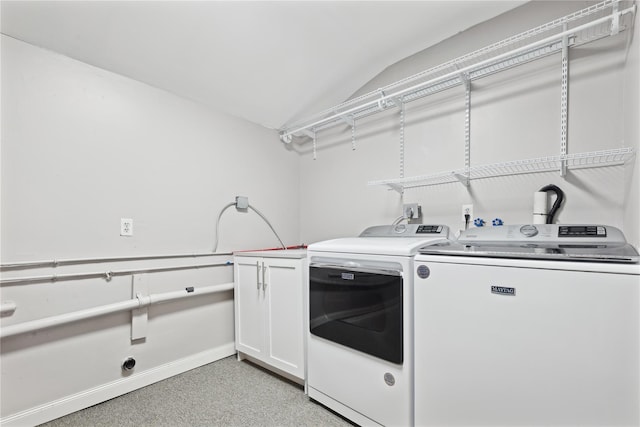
(249, 306)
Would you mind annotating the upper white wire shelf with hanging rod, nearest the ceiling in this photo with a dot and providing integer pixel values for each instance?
(589, 24)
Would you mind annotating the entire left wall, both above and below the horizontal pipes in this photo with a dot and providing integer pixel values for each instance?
(82, 148)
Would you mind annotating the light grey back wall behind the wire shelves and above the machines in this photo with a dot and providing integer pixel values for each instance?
(514, 115)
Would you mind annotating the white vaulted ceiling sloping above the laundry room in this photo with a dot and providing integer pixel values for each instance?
(270, 62)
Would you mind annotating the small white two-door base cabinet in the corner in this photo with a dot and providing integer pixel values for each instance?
(269, 308)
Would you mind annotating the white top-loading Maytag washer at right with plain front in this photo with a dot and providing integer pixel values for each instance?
(528, 325)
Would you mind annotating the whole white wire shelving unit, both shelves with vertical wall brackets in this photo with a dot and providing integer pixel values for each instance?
(592, 23)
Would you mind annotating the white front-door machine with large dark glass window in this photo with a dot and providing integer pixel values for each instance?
(360, 338)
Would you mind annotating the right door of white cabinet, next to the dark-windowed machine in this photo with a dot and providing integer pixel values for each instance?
(285, 314)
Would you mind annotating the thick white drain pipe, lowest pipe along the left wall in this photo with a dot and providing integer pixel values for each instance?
(139, 301)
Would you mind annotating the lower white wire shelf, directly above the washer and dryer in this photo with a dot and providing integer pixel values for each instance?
(591, 159)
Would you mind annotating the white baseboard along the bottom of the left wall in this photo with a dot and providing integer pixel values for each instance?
(66, 405)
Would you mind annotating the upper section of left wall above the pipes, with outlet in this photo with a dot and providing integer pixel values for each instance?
(83, 147)
